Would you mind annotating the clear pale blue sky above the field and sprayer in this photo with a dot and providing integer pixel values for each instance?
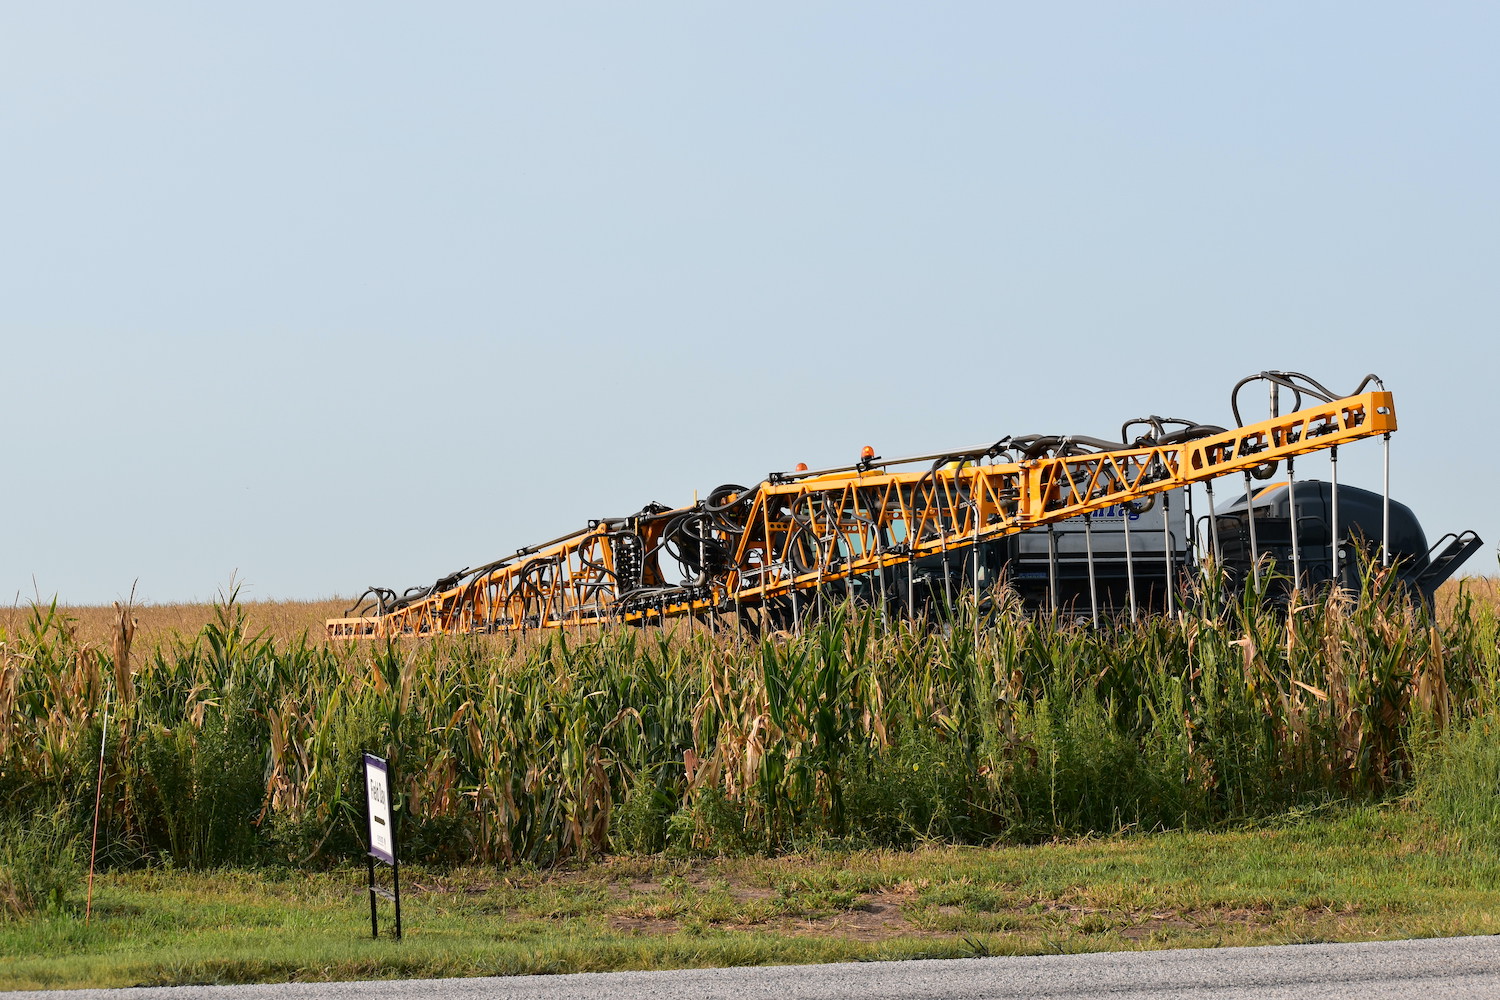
(349, 295)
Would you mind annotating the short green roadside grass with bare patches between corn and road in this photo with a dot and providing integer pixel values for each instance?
(1363, 873)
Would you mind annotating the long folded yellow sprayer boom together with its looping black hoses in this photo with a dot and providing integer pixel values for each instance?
(796, 533)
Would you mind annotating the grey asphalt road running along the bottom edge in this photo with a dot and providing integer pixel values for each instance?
(1412, 971)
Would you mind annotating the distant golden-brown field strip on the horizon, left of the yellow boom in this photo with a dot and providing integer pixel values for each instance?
(157, 623)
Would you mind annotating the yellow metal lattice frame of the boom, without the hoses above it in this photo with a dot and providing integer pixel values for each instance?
(808, 533)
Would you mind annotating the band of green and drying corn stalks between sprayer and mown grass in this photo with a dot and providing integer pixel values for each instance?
(227, 747)
